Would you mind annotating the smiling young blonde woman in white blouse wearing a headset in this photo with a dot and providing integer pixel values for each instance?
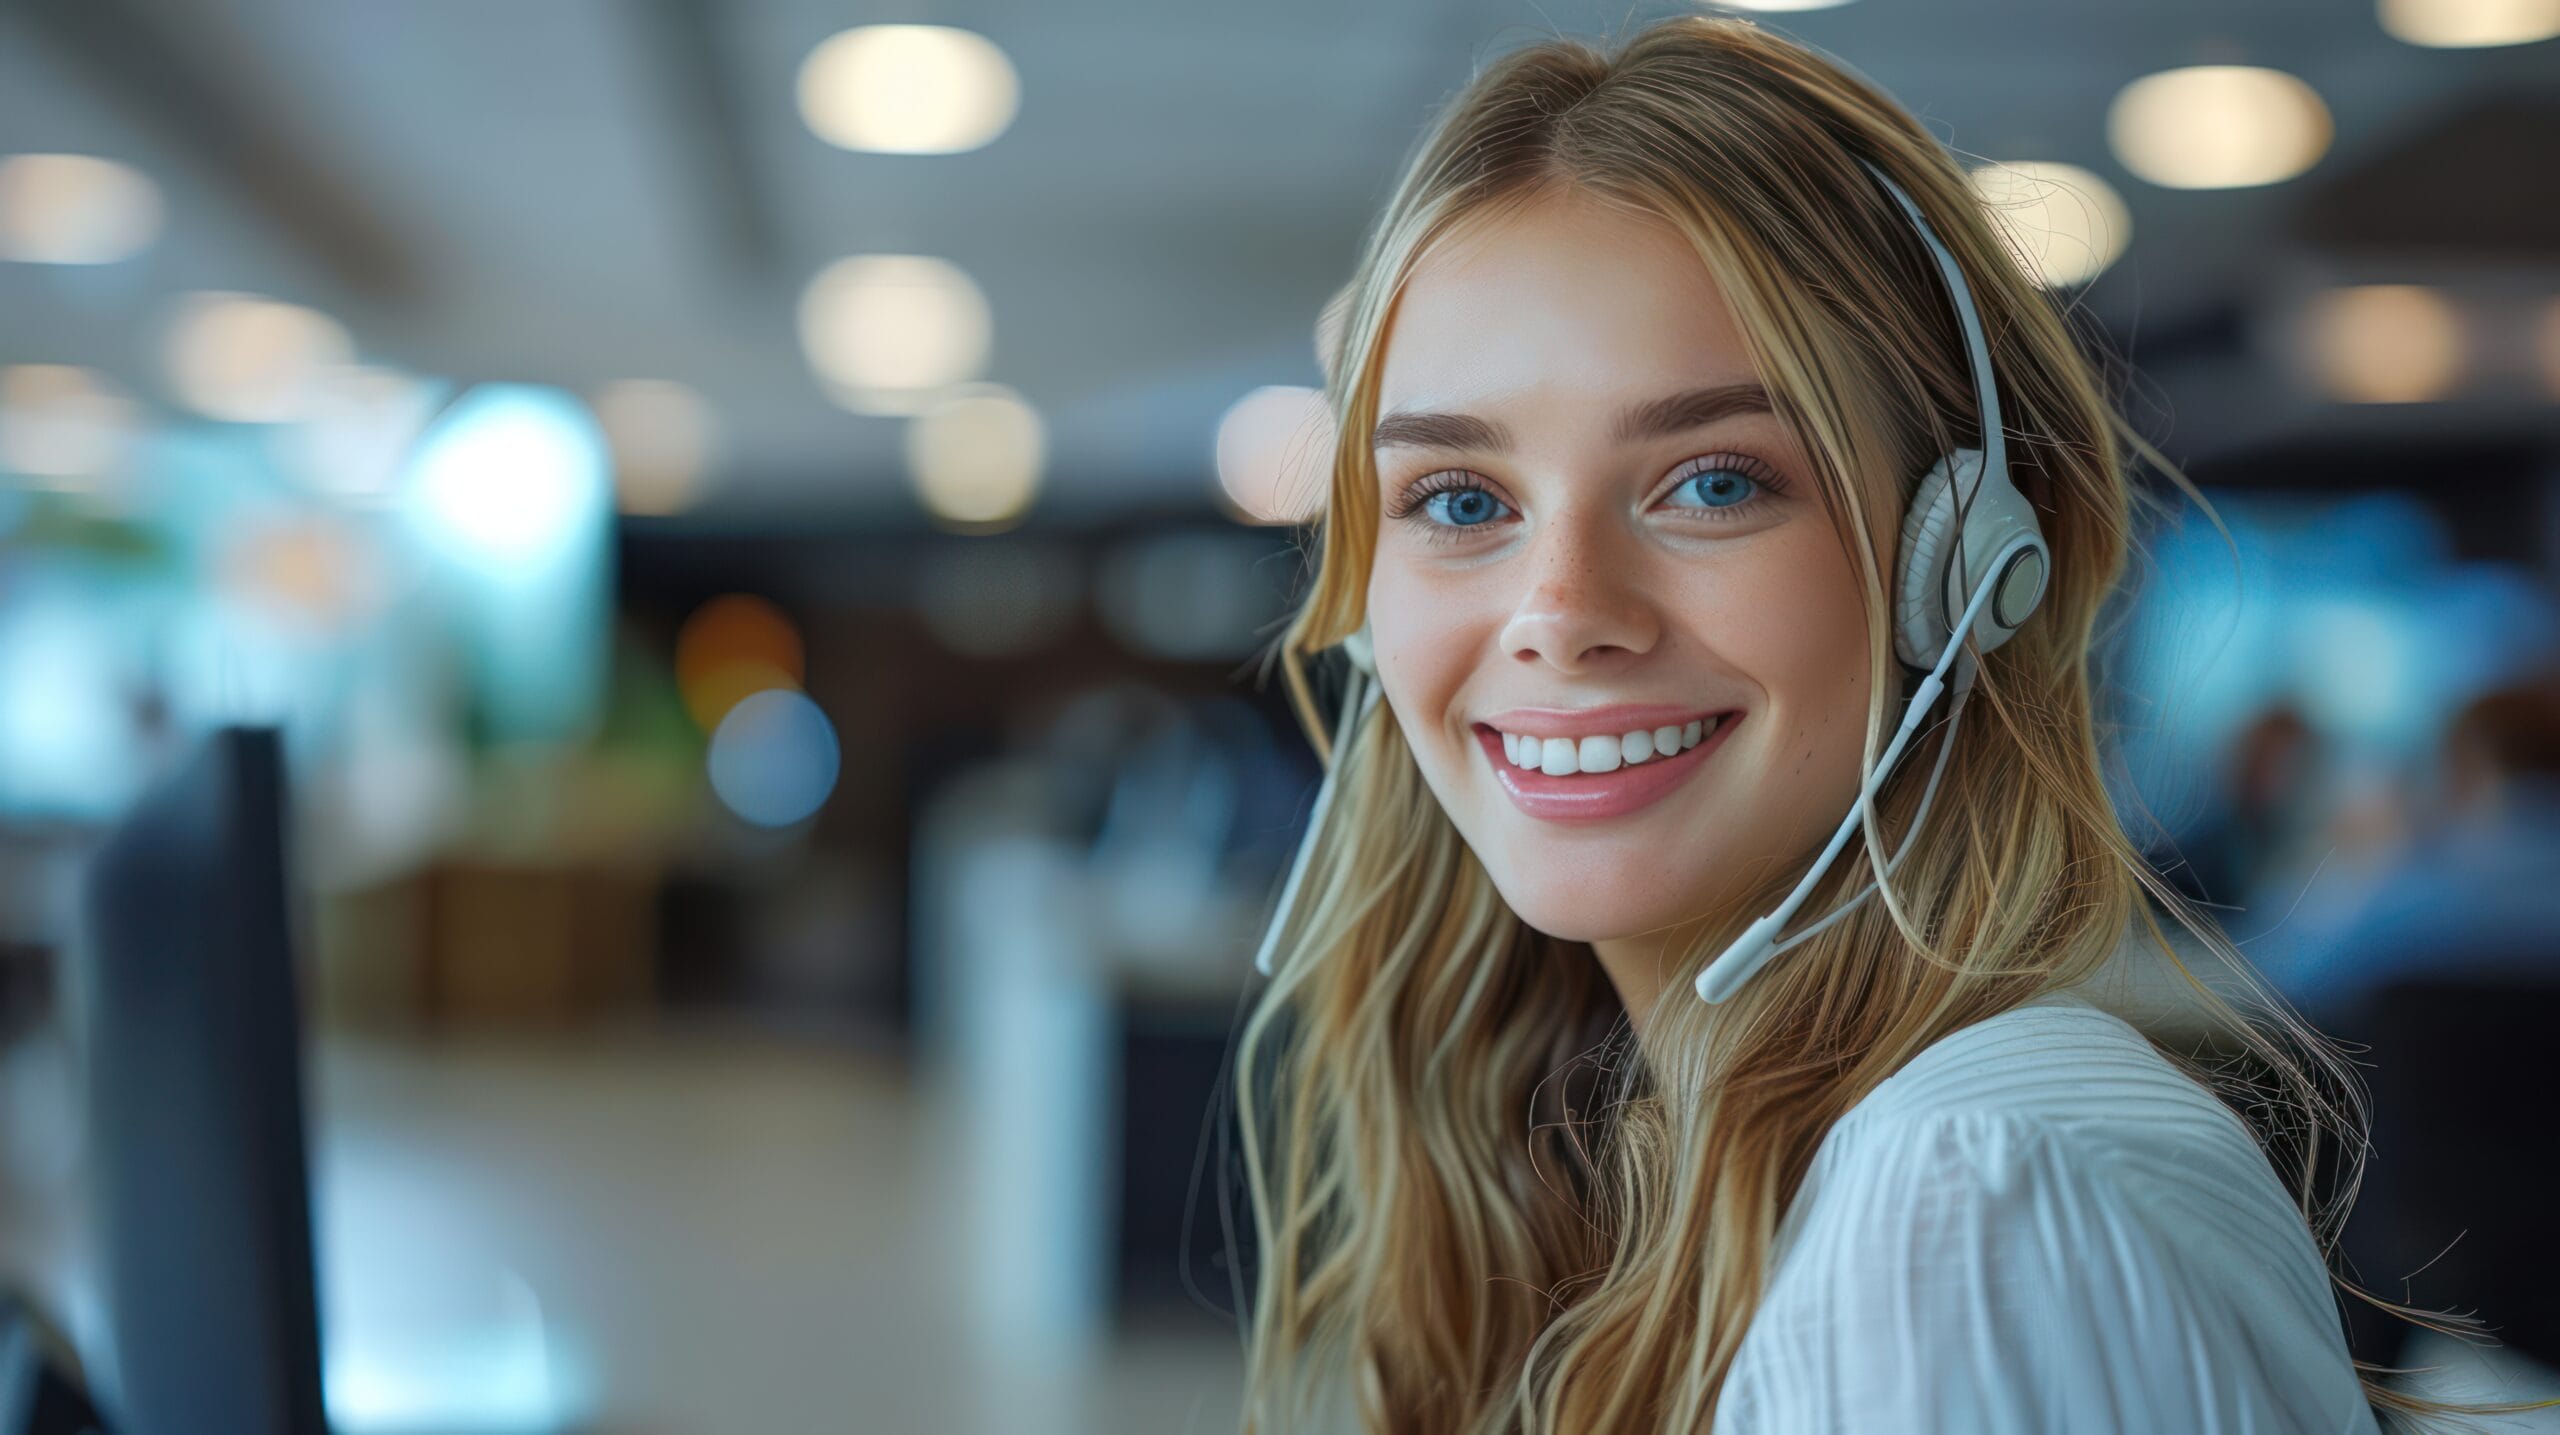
(1701, 457)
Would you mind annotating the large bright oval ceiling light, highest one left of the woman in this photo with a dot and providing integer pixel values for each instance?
(908, 91)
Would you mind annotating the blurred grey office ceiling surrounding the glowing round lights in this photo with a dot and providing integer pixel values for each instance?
(593, 191)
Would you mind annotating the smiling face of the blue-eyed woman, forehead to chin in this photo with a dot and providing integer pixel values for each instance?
(1596, 528)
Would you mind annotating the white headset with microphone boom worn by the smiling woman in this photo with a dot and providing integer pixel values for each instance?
(1972, 564)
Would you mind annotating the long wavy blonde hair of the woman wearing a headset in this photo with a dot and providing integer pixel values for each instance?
(1476, 1206)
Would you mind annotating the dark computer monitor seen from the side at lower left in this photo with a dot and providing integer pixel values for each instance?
(196, 1109)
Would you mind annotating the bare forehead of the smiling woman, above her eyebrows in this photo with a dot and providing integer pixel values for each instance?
(1568, 298)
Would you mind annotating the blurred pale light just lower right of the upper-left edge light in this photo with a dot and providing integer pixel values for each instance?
(250, 359)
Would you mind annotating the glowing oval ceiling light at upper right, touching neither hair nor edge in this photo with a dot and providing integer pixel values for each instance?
(2218, 127)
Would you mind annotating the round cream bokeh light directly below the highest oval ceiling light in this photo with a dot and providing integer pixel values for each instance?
(887, 331)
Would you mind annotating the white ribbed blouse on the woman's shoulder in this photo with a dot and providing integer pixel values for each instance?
(2042, 1227)
